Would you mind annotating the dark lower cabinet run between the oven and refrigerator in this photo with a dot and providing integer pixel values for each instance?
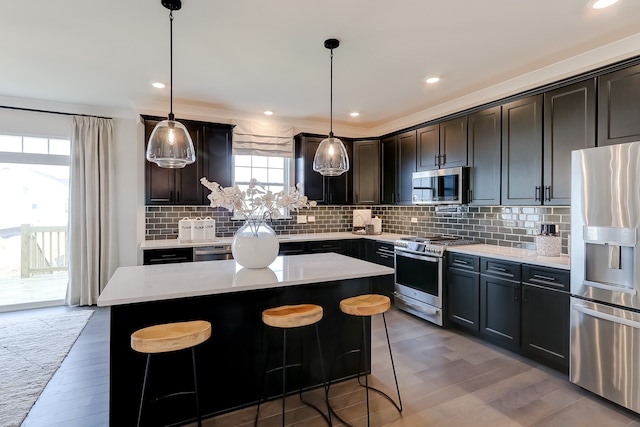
(521, 307)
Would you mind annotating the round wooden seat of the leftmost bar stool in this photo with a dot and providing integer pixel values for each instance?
(170, 336)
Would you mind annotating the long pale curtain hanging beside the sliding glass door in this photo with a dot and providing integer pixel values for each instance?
(92, 231)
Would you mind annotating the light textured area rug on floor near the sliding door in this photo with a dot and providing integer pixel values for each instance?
(31, 350)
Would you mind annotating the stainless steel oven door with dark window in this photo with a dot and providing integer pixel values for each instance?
(420, 276)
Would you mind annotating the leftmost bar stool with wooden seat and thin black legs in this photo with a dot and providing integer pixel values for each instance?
(167, 338)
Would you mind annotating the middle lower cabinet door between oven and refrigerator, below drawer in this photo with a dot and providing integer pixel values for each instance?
(500, 311)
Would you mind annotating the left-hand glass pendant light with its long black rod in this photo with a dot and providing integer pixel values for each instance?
(170, 145)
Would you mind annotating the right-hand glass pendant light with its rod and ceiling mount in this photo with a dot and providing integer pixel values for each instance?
(331, 157)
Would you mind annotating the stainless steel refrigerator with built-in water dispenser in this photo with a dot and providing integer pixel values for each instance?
(605, 297)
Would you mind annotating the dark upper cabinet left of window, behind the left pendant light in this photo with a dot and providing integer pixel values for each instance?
(212, 143)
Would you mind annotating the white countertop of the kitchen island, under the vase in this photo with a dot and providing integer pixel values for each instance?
(146, 283)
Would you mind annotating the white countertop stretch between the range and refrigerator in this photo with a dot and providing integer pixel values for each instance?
(512, 254)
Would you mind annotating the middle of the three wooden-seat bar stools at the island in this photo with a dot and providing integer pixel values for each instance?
(287, 317)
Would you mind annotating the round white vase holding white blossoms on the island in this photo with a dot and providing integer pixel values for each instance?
(255, 245)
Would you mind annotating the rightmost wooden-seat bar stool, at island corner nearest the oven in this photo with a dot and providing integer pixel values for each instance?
(366, 306)
